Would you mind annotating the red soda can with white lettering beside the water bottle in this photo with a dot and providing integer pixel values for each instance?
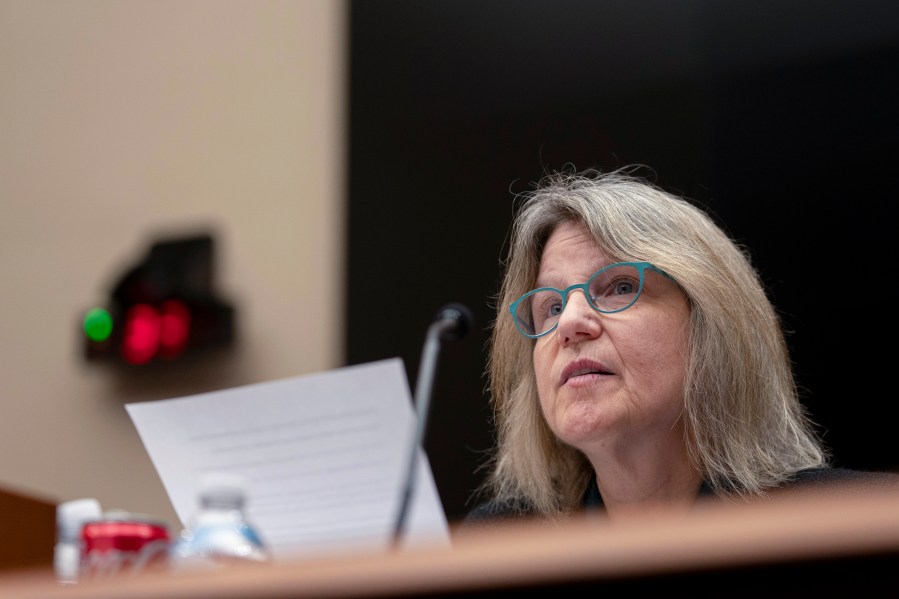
(123, 543)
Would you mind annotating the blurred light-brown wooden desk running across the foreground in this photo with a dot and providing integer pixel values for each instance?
(836, 542)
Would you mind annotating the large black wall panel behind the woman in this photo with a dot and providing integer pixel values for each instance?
(781, 121)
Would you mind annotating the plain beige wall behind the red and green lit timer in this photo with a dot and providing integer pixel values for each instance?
(122, 118)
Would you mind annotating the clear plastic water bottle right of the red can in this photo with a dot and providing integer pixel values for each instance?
(219, 532)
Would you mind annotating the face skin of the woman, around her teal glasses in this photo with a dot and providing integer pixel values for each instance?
(610, 381)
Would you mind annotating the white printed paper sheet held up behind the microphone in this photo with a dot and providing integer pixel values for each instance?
(325, 454)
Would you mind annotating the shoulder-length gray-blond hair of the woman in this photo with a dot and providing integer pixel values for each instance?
(746, 430)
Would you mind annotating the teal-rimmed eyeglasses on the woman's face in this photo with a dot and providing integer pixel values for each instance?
(612, 289)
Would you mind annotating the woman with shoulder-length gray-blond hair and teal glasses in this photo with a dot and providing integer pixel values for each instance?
(636, 362)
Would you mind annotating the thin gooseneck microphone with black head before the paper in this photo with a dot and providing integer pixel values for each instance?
(451, 323)
